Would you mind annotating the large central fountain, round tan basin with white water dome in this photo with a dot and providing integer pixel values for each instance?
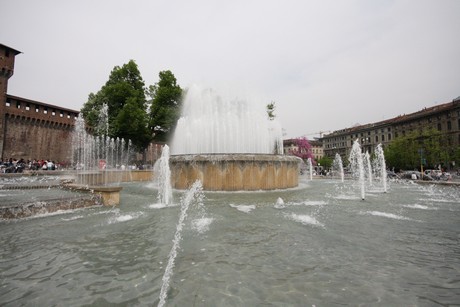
(229, 145)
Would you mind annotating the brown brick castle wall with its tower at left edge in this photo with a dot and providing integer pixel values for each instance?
(31, 129)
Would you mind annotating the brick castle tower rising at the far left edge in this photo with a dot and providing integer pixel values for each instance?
(7, 56)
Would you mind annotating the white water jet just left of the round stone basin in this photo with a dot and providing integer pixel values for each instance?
(162, 174)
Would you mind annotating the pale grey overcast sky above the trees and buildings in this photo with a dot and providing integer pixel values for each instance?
(328, 65)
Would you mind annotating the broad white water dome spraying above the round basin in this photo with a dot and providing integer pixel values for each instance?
(214, 124)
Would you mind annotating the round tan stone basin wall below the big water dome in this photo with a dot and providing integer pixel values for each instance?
(235, 172)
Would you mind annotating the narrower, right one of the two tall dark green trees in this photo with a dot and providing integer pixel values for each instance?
(165, 105)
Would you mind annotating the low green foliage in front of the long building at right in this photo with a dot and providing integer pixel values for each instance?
(429, 146)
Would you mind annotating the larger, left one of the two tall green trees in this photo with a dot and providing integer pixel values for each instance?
(124, 94)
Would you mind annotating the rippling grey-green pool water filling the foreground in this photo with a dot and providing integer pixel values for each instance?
(323, 246)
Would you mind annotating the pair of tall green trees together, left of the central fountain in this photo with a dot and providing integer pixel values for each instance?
(127, 113)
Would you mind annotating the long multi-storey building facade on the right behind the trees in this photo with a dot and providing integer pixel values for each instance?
(444, 118)
